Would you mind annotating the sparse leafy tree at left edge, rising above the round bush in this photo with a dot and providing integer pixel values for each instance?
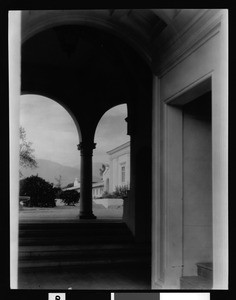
(27, 159)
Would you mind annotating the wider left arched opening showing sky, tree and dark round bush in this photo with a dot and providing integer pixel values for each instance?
(47, 138)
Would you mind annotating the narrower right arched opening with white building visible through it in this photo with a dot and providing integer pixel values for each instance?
(112, 157)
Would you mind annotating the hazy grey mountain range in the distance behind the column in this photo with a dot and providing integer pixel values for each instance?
(50, 170)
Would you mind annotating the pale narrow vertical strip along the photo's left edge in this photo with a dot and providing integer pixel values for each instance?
(14, 108)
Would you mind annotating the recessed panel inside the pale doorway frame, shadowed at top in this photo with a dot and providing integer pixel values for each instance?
(197, 191)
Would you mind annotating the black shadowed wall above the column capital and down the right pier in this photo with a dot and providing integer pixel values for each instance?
(91, 71)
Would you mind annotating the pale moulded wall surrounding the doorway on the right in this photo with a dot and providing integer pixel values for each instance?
(204, 58)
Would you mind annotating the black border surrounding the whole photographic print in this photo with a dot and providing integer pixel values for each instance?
(5, 292)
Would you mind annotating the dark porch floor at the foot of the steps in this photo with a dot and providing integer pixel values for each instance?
(95, 278)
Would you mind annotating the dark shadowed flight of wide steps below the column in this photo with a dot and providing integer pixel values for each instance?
(77, 244)
